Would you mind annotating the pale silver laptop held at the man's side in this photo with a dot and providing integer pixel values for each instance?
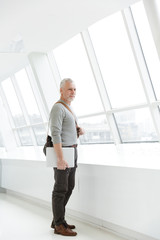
(51, 157)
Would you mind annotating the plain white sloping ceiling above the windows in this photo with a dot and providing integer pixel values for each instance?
(40, 25)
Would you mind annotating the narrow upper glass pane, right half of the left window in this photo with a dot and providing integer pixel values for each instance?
(28, 97)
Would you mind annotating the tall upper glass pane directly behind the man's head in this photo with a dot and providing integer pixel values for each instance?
(72, 62)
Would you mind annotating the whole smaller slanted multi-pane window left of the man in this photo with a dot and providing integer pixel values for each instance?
(22, 106)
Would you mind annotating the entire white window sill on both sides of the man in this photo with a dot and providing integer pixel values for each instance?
(140, 155)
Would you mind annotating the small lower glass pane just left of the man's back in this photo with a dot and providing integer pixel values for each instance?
(40, 134)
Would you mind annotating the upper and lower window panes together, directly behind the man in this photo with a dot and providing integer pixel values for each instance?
(72, 61)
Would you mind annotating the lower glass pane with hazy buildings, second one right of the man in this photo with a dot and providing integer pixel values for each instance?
(136, 126)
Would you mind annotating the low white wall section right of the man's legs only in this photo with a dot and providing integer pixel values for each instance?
(126, 197)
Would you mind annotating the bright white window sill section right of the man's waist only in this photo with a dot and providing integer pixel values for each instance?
(137, 155)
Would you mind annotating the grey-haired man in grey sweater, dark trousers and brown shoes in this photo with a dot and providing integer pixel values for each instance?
(64, 133)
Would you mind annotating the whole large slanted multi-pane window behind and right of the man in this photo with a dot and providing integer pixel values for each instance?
(130, 116)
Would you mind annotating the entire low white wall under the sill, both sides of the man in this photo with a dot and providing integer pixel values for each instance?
(123, 199)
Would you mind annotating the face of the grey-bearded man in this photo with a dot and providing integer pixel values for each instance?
(68, 92)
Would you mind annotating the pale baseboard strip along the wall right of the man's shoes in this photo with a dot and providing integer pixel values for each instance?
(120, 231)
